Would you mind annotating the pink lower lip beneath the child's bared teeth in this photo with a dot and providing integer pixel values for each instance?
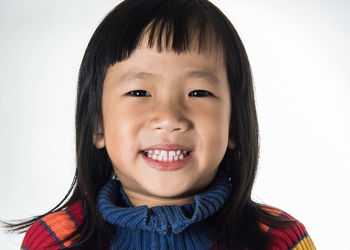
(166, 165)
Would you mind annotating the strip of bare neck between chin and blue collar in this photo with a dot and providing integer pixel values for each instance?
(138, 199)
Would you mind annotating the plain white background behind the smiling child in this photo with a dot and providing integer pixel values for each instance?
(300, 56)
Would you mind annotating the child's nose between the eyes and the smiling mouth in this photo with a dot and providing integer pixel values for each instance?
(169, 116)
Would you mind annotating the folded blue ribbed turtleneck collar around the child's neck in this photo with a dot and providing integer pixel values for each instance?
(116, 208)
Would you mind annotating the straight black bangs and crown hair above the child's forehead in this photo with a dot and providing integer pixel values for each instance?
(171, 25)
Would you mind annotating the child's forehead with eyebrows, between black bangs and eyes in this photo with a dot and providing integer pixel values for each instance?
(147, 62)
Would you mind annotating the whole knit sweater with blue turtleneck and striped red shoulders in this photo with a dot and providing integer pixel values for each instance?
(161, 227)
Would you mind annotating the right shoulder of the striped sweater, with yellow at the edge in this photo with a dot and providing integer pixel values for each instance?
(291, 237)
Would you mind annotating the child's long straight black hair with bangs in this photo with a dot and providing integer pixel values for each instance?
(173, 25)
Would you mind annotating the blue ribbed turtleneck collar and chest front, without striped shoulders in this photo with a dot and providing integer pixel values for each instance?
(162, 227)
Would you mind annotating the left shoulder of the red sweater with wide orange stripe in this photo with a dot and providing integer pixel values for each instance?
(47, 232)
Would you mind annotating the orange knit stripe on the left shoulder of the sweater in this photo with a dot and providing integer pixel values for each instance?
(61, 224)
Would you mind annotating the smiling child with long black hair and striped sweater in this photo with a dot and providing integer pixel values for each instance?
(166, 140)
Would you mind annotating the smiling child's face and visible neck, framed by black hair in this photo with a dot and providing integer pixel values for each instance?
(165, 112)
